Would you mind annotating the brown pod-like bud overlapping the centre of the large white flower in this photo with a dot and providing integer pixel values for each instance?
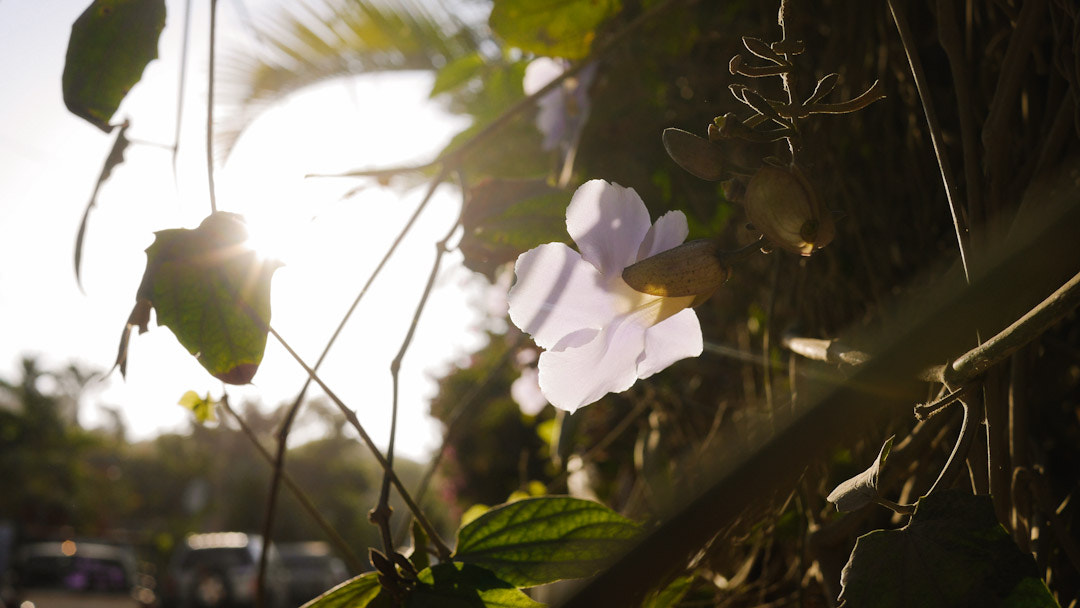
(691, 269)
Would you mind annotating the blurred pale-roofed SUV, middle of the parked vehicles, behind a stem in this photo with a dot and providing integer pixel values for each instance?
(221, 571)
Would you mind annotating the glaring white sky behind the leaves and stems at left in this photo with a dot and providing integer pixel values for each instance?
(50, 161)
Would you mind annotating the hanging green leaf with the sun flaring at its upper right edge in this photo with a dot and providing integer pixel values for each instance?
(213, 292)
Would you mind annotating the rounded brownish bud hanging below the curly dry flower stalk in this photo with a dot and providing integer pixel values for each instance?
(782, 205)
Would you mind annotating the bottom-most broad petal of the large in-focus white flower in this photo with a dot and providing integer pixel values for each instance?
(578, 376)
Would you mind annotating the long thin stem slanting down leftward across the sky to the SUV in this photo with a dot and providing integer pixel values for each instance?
(279, 463)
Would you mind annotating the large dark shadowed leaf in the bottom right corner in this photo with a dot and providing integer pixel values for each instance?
(954, 552)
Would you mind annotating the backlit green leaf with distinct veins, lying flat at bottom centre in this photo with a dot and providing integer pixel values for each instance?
(542, 541)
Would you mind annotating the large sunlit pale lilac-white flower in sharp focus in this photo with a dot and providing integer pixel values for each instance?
(601, 335)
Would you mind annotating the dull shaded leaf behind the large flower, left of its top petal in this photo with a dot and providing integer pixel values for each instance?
(506, 218)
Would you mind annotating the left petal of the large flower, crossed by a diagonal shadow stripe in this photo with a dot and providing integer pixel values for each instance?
(557, 294)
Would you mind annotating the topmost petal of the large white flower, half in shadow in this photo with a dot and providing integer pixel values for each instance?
(609, 223)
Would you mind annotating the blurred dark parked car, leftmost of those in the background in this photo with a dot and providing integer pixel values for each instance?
(77, 575)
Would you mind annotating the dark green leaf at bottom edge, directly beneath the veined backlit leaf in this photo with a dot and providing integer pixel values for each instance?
(464, 586)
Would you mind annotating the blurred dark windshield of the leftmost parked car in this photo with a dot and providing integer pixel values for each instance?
(74, 574)
